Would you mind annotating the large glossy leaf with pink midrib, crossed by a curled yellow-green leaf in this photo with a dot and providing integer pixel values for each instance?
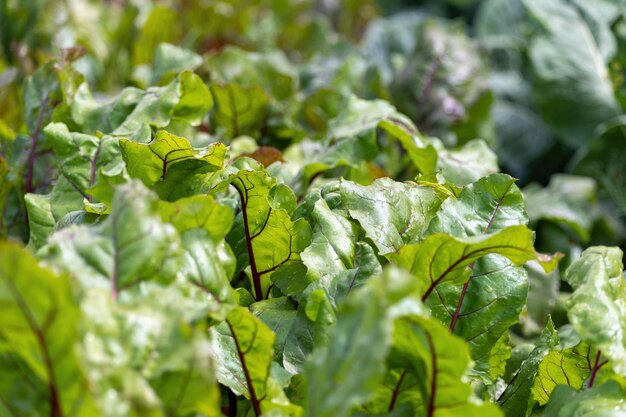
(495, 293)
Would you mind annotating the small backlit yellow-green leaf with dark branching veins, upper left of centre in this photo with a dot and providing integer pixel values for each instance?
(151, 162)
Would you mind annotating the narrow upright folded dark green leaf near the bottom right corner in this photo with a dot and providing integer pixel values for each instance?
(516, 399)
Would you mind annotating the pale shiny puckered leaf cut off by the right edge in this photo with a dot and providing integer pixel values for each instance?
(597, 307)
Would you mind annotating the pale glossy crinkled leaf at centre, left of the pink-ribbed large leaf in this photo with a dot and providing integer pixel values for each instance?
(392, 214)
